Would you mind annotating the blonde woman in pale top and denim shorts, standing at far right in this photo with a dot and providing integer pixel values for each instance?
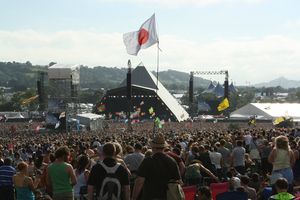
(282, 158)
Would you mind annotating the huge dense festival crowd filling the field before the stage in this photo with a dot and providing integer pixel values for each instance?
(260, 162)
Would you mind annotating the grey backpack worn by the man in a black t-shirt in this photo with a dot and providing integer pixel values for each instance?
(111, 186)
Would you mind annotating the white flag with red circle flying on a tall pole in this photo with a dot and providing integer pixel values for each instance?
(145, 37)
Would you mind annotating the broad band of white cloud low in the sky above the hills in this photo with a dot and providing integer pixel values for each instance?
(247, 59)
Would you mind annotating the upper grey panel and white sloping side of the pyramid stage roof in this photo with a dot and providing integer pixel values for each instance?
(141, 77)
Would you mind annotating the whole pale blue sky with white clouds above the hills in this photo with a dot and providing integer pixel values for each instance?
(256, 40)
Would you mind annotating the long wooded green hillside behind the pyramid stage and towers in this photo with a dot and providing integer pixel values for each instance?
(24, 75)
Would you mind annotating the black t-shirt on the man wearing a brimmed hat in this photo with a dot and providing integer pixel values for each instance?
(157, 171)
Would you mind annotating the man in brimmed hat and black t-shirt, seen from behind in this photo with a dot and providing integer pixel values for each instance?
(155, 172)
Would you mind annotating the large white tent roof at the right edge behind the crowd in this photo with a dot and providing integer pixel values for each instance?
(268, 110)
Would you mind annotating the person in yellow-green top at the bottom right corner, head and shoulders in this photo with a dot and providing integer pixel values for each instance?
(282, 187)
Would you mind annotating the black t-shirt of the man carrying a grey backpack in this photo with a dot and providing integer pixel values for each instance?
(98, 174)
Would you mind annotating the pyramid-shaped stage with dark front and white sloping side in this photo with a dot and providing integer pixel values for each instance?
(146, 94)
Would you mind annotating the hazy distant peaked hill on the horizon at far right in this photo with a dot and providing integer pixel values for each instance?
(281, 81)
